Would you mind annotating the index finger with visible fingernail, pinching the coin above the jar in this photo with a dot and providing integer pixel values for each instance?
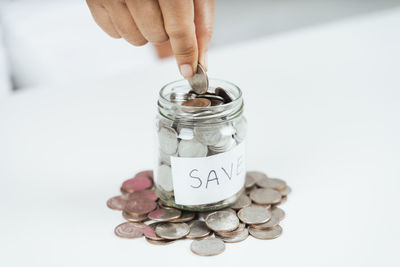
(178, 18)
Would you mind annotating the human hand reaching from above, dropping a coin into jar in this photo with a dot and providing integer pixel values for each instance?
(186, 24)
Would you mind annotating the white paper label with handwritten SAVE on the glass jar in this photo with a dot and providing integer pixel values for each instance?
(208, 179)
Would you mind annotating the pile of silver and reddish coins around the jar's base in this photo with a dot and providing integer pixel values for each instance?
(255, 213)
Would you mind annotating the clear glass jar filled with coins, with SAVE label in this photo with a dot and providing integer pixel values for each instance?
(200, 161)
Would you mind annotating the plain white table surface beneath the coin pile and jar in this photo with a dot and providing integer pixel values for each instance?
(323, 106)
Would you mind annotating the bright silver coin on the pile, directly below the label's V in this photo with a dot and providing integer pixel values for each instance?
(222, 221)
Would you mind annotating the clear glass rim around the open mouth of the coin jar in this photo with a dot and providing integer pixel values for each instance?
(236, 96)
